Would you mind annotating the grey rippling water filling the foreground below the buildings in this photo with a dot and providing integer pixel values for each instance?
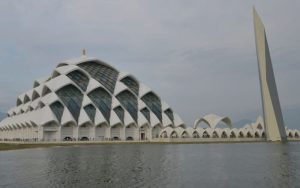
(188, 165)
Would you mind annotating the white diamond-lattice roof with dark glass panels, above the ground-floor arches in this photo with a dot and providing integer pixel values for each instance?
(89, 90)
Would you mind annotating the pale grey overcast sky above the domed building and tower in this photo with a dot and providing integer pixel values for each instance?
(199, 56)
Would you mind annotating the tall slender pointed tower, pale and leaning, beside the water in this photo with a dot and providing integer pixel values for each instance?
(274, 125)
